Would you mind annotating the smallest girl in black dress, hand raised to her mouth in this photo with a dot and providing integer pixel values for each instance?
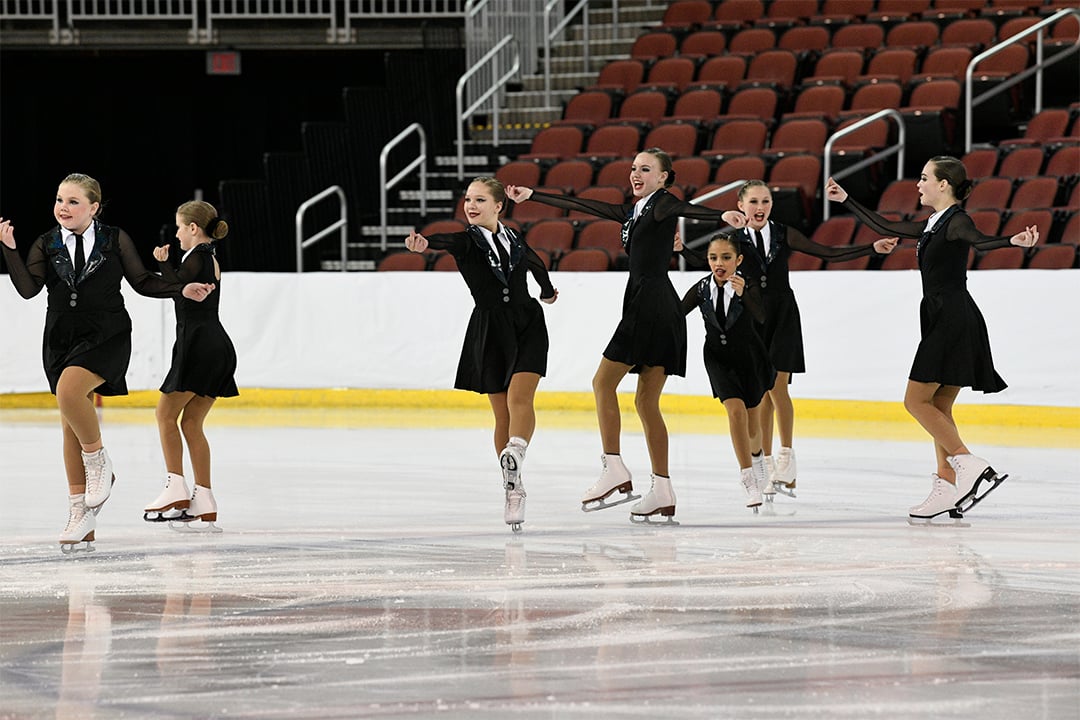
(737, 360)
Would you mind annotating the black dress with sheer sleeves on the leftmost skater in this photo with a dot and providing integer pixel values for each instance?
(87, 324)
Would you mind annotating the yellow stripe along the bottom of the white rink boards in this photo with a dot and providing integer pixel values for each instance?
(996, 425)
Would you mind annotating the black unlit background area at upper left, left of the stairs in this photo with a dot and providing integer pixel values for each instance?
(154, 128)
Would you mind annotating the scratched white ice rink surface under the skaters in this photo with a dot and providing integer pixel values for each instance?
(366, 573)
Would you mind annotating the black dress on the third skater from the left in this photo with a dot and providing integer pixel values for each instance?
(507, 333)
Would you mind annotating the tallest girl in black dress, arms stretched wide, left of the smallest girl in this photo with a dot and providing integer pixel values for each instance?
(651, 338)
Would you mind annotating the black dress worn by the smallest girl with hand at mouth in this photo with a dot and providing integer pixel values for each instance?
(737, 360)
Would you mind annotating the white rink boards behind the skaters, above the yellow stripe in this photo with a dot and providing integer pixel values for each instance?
(403, 331)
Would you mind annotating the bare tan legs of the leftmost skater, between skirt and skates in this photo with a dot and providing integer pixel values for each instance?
(83, 433)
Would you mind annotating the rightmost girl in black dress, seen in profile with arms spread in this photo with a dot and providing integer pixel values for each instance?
(955, 349)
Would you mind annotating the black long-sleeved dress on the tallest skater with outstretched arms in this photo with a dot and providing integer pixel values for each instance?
(652, 332)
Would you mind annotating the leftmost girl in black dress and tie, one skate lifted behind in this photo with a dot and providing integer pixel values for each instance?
(88, 339)
